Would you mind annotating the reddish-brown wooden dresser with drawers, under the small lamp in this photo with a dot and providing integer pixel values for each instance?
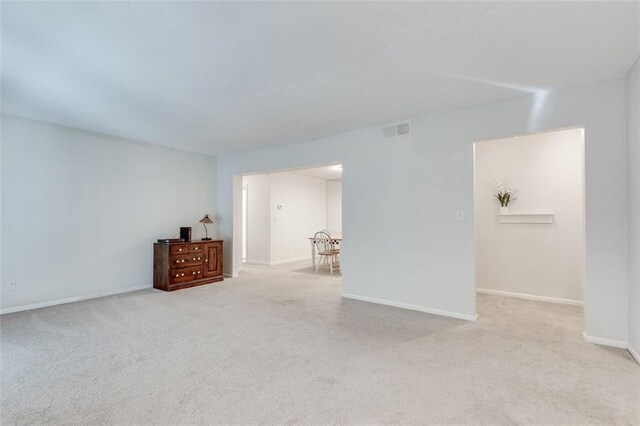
(182, 265)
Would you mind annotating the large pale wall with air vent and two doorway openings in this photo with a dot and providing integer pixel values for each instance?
(407, 190)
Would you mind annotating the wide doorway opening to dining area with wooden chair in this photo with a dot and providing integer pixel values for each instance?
(280, 213)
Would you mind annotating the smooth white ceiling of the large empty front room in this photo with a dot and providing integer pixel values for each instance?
(220, 77)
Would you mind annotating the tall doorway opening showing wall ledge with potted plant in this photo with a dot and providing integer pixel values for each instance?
(529, 214)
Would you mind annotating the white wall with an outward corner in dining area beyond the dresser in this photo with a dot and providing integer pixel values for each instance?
(280, 235)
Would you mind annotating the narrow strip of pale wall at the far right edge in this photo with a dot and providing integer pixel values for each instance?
(633, 136)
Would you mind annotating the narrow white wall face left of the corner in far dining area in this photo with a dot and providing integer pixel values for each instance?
(258, 218)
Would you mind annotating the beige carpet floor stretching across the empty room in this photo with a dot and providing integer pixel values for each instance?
(279, 346)
